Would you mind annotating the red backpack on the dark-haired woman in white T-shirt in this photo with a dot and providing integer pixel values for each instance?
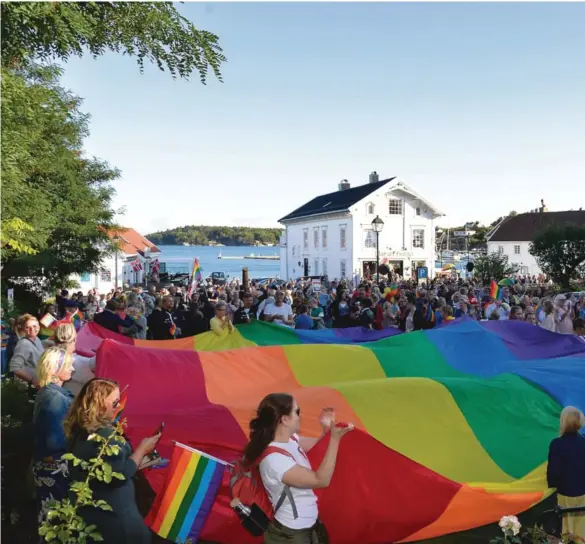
(246, 484)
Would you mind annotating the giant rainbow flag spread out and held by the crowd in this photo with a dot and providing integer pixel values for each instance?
(452, 424)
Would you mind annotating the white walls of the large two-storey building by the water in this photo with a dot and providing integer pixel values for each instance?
(343, 244)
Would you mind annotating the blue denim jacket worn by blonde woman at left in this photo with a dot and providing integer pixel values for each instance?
(51, 405)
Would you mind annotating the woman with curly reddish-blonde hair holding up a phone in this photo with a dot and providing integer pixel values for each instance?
(93, 411)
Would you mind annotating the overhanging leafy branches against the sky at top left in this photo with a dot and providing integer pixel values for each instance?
(152, 31)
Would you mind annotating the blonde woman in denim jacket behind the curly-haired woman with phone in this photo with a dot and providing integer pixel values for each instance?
(51, 405)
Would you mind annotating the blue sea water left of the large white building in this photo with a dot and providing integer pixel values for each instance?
(179, 259)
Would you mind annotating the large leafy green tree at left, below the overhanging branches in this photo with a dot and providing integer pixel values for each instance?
(56, 202)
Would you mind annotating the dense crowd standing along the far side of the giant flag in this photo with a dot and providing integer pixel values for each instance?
(166, 313)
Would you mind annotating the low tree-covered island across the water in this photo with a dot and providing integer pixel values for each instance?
(216, 236)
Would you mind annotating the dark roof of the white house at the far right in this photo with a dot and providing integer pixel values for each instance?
(525, 226)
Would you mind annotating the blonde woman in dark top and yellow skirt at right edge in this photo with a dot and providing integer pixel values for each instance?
(566, 469)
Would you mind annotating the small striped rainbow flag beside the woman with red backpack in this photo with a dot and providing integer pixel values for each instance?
(181, 508)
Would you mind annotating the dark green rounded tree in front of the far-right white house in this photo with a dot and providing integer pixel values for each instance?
(560, 253)
